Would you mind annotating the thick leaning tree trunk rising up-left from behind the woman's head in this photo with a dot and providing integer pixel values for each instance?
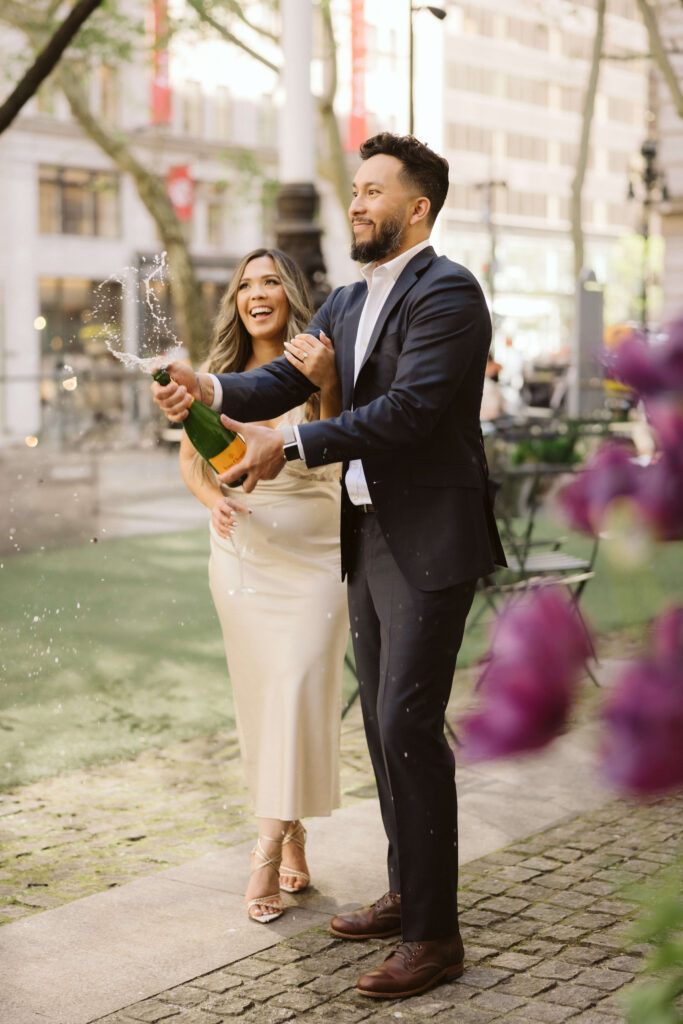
(186, 294)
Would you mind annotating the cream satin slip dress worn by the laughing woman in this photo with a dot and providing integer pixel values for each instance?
(286, 638)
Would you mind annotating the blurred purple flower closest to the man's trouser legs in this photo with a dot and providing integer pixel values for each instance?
(539, 646)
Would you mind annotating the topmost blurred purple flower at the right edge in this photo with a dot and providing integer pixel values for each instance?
(650, 368)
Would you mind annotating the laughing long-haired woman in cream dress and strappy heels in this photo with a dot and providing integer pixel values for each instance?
(275, 578)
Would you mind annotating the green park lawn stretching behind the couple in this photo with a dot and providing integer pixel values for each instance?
(110, 649)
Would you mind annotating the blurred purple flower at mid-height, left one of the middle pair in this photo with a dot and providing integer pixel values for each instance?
(610, 475)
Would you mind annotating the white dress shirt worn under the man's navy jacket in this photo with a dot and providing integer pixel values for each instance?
(380, 281)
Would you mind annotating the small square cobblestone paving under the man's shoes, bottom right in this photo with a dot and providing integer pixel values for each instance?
(545, 923)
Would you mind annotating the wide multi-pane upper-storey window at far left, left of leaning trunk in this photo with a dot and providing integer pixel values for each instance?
(78, 202)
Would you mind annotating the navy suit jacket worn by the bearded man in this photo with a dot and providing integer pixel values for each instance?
(412, 417)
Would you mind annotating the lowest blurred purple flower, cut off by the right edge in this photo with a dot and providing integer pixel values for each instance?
(643, 749)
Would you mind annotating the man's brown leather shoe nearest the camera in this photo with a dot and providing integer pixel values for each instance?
(413, 968)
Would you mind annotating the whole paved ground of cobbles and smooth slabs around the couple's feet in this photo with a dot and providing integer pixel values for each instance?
(545, 918)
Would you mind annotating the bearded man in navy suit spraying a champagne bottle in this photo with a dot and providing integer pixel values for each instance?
(411, 344)
